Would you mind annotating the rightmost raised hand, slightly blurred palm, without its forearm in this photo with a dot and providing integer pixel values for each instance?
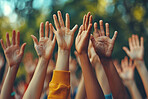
(136, 48)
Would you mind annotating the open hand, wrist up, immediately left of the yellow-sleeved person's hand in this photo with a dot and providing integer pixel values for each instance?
(46, 44)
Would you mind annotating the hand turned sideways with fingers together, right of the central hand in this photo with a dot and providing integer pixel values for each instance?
(82, 38)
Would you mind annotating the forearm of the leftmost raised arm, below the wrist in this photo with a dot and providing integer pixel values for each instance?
(8, 82)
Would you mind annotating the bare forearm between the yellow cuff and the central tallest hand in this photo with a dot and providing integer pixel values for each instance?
(62, 60)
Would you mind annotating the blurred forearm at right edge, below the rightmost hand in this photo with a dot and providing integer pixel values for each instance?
(142, 70)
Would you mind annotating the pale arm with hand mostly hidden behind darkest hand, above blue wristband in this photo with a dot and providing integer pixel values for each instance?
(100, 73)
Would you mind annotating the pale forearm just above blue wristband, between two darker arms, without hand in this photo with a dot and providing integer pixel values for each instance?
(101, 76)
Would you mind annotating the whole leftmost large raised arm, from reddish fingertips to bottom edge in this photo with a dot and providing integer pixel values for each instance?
(13, 54)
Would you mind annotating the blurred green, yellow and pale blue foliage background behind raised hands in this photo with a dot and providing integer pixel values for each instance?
(126, 16)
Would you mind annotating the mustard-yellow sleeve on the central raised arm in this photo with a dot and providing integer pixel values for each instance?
(59, 87)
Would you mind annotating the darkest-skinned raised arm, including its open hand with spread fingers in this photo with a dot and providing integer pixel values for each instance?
(103, 46)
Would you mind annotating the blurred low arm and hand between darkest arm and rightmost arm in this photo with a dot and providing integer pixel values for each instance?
(127, 75)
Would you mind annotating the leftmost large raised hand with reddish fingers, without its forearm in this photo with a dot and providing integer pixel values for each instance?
(13, 52)
